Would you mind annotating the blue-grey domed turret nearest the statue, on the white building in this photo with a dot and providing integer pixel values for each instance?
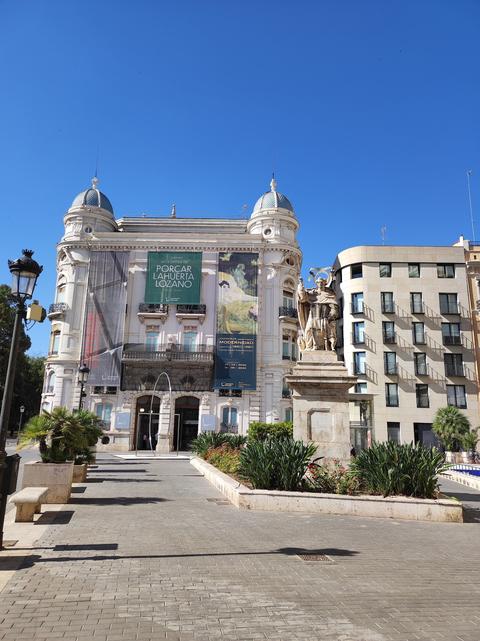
(273, 217)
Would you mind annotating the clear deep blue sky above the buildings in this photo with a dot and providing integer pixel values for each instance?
(367, 111)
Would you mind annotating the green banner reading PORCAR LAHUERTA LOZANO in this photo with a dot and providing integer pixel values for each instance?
(174, 277)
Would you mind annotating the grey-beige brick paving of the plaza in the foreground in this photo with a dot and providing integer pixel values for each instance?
(142, 554)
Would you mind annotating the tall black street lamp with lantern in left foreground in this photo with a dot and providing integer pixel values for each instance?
(25, 272)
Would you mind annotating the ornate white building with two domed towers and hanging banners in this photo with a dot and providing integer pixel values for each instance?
(162, 371)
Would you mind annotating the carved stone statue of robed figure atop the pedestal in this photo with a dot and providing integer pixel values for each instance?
(318, 312)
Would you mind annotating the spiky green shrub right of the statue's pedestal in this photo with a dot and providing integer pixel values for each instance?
(392, 469)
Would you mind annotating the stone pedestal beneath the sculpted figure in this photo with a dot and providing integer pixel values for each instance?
(320, 384)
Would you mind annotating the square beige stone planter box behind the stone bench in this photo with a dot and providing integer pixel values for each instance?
(58, 477)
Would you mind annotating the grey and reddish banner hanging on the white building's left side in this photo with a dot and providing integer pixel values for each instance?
(105, 316)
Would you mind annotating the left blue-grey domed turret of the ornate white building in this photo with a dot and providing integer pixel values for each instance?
(90, 212)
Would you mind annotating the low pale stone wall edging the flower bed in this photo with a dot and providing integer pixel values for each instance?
(397, 507)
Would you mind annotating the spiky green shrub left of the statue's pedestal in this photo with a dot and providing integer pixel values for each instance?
(275, 463)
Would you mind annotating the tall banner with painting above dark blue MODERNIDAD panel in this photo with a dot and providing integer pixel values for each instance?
(237, 313)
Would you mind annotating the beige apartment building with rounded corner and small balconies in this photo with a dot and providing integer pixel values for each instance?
(406, 333)
